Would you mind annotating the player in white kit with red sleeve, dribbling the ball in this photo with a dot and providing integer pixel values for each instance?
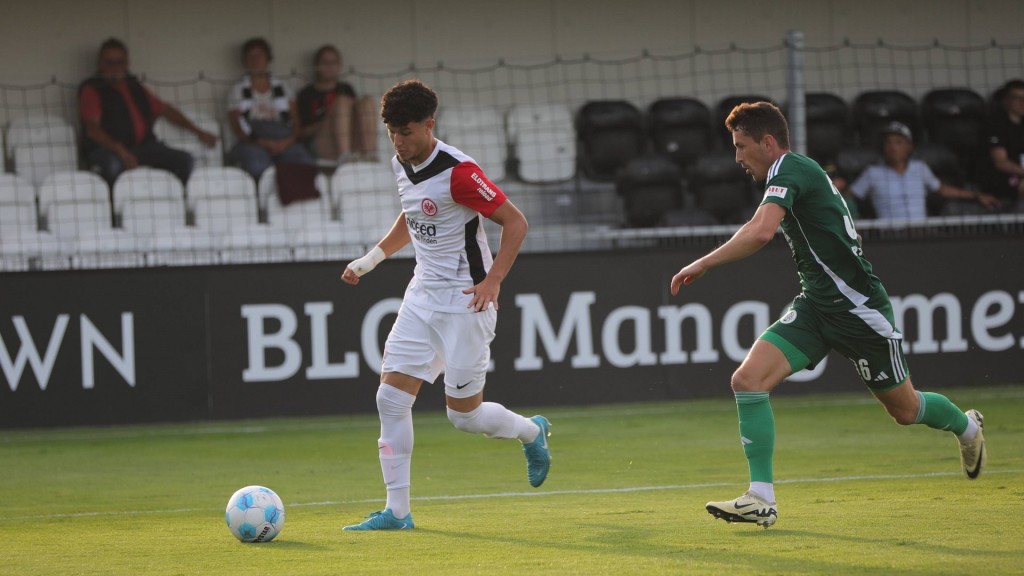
(448, 316)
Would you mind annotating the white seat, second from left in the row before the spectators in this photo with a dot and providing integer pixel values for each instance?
(75, 204)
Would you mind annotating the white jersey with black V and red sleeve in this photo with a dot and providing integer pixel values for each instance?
(445, 201)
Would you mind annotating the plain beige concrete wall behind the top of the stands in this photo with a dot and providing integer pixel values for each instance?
(46, 39)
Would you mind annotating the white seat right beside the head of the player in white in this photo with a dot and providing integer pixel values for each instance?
(479, 132)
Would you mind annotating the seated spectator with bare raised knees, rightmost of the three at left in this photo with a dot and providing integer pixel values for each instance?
(337, 126)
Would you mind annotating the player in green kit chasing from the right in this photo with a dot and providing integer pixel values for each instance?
(842, 306)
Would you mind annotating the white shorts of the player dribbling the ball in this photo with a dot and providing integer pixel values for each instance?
(423, 344)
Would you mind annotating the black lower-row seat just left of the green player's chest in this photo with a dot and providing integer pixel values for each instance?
(722, 188)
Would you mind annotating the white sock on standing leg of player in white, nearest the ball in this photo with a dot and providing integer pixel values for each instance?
(396, 445)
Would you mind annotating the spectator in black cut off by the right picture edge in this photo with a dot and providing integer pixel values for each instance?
(1007, 145)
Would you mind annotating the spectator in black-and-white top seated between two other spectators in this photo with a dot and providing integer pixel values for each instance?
(264, 116)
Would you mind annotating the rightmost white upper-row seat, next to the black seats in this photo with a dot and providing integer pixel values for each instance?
(544, 148)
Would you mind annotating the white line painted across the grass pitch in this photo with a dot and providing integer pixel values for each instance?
(525, 495)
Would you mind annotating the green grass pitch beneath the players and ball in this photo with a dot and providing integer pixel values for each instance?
(858, 496)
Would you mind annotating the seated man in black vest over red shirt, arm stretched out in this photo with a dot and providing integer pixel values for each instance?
(118, 114)
